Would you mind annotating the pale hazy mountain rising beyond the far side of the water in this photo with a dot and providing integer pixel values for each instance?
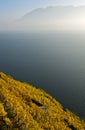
(53, 18)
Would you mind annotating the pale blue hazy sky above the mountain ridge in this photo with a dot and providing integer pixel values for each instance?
(16, 8)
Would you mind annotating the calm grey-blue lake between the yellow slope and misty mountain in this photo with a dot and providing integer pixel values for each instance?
(53, 61)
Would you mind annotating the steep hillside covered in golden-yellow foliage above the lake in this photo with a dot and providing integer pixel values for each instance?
(24, 107)
